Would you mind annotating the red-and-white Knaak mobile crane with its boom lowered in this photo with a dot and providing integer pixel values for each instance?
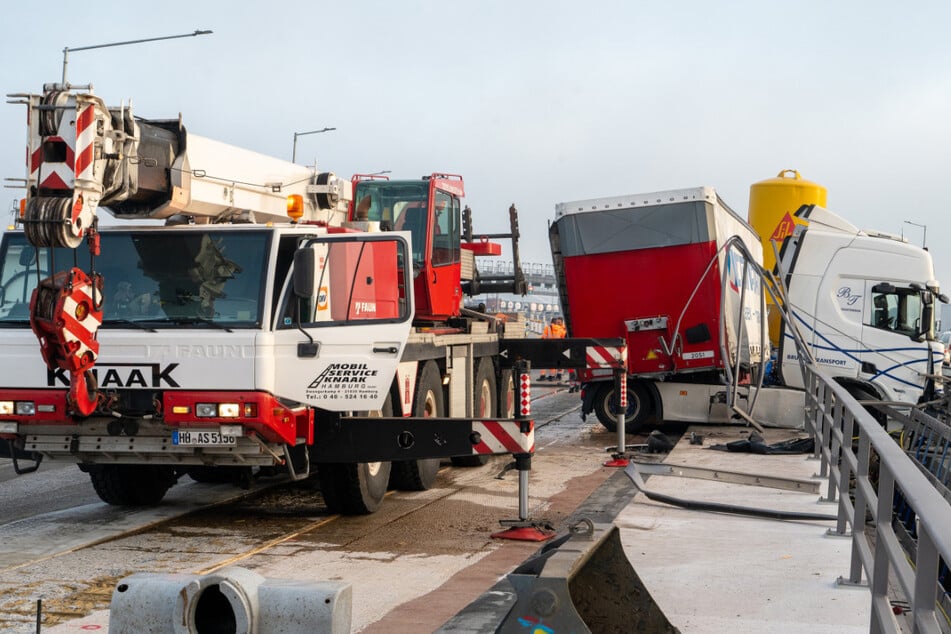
(275, 318)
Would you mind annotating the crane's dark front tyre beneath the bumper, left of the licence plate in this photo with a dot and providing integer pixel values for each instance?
(131, 485)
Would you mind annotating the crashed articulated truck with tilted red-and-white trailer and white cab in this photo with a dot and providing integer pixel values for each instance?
(665, 271)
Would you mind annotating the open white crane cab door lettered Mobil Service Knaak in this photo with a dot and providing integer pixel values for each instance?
(338, 346)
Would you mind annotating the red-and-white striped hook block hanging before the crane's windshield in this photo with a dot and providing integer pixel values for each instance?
(65, 314)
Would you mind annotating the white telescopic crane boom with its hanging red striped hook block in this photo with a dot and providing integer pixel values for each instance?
(83, 155)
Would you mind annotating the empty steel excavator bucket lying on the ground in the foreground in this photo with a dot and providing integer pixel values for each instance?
(582, 582)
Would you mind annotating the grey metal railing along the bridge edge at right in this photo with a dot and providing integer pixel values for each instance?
(867, 472)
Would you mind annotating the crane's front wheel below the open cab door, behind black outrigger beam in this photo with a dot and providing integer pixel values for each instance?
(356, 488)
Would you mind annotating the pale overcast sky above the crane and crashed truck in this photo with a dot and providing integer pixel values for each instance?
(537, 102)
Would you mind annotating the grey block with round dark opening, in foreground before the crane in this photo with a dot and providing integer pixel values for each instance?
(232, 599)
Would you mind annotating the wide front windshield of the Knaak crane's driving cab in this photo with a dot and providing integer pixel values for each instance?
(165, 278)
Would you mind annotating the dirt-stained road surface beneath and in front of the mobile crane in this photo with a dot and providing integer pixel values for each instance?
(417, 561)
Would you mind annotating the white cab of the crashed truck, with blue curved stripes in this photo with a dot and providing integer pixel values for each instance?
(864, 304)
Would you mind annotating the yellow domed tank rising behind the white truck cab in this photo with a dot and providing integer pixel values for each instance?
(773, 203)
